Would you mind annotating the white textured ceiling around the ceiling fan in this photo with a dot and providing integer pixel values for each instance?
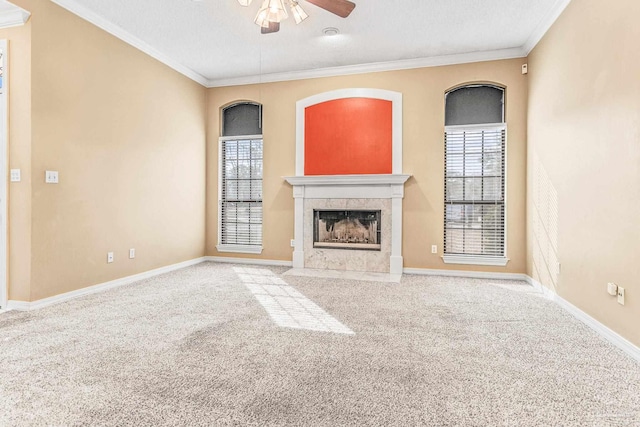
(216, 42)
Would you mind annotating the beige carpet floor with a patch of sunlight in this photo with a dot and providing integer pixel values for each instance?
(218, 344)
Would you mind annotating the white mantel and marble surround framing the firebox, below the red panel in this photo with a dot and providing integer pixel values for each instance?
(382, 192)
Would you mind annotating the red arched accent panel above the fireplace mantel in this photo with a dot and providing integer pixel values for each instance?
(348, 136)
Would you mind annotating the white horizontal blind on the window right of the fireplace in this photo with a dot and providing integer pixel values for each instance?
(475, 190)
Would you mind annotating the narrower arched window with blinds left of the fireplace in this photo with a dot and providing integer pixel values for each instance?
(240, 179)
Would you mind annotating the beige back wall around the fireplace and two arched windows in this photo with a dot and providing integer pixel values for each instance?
(423, 91)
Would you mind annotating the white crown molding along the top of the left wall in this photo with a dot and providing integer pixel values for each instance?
(76, 8)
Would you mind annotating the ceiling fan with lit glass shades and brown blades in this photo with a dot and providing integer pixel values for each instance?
(273, 11)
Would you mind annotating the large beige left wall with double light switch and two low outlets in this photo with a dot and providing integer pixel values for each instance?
(127, 135)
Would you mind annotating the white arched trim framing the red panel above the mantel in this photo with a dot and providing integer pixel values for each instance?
(387, 95)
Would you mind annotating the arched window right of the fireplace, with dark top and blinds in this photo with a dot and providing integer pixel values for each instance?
(475, 144)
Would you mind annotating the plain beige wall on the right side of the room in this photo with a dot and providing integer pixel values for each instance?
(584, 160)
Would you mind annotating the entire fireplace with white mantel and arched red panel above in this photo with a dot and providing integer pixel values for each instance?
(348, 189)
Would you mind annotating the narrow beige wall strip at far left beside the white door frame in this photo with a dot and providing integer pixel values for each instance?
(19, 153)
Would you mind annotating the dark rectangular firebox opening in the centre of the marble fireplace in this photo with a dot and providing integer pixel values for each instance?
(347, 229)
